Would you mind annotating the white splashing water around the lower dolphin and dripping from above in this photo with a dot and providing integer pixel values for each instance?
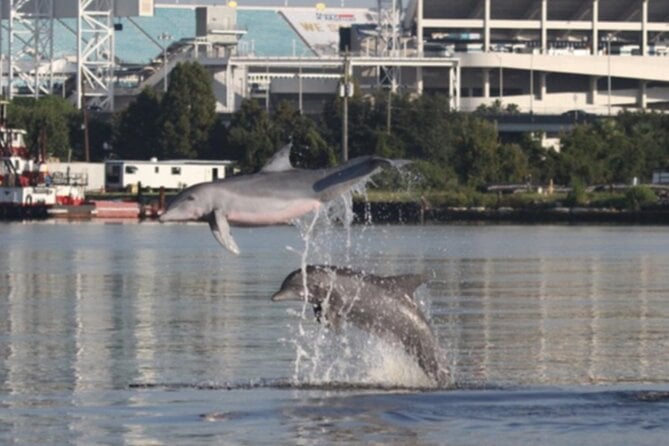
(324, 355)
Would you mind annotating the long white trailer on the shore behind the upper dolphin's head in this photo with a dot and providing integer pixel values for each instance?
(172, 174)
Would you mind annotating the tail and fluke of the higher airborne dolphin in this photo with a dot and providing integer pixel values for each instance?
(353, 172)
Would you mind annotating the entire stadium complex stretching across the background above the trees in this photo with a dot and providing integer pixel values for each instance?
(544, 57)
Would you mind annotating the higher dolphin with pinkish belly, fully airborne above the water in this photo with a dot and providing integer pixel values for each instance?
(278, 194)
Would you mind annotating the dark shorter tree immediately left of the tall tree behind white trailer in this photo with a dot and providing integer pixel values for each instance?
(137, 134)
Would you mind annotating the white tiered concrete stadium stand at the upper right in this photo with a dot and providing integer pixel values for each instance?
(550, 56)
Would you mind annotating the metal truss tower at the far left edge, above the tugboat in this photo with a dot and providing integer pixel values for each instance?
(28, 61)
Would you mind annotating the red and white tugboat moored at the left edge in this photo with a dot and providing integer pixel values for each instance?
(27, 189)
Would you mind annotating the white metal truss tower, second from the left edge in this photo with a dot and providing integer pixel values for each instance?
(95, 54)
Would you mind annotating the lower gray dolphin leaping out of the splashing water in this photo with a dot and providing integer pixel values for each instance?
(384, 306)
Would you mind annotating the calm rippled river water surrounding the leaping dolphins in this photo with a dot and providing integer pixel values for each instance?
(149, 334)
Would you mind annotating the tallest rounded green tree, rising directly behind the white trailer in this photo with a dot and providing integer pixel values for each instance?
(188, 112)
